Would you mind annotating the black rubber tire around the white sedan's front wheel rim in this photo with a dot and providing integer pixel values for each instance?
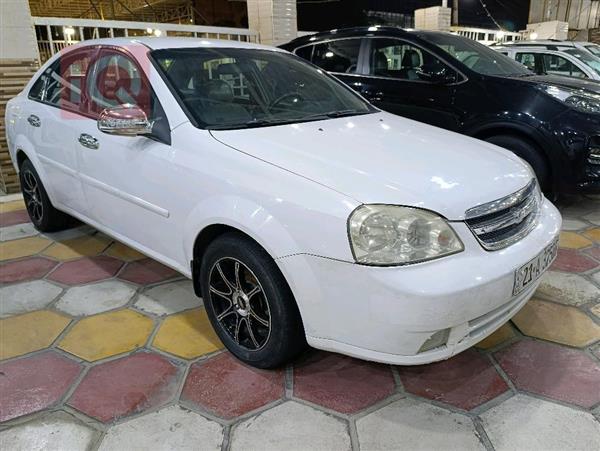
(286, 339)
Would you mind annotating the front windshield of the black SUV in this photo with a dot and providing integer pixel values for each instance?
(476, 56)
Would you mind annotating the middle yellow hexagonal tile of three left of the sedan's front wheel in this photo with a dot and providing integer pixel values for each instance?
(107, 334)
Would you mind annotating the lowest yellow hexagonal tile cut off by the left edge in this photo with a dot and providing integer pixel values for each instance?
(30, 332)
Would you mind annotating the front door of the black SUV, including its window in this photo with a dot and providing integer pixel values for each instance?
(407, 80)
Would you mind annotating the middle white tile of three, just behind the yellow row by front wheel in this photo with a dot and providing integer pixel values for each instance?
(95, 298)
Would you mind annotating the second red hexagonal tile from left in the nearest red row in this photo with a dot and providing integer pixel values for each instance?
(125, 386)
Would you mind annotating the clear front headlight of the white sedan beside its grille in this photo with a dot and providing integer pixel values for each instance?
(385, 235)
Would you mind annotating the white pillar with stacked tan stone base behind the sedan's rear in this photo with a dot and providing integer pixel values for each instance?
(18, 62)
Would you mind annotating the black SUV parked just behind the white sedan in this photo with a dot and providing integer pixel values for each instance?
(456, 83)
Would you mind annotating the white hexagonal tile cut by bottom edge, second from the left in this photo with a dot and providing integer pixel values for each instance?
(171, 428)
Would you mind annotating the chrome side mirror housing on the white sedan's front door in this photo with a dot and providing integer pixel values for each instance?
(124, 120)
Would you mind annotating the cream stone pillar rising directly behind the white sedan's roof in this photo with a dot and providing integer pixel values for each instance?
(275, 20)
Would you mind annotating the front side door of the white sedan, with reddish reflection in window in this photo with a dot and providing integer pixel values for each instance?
(124, 176)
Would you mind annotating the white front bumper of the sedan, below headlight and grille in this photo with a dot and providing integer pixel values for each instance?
(387, 314)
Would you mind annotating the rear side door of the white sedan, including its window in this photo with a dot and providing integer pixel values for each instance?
(56, 115)
